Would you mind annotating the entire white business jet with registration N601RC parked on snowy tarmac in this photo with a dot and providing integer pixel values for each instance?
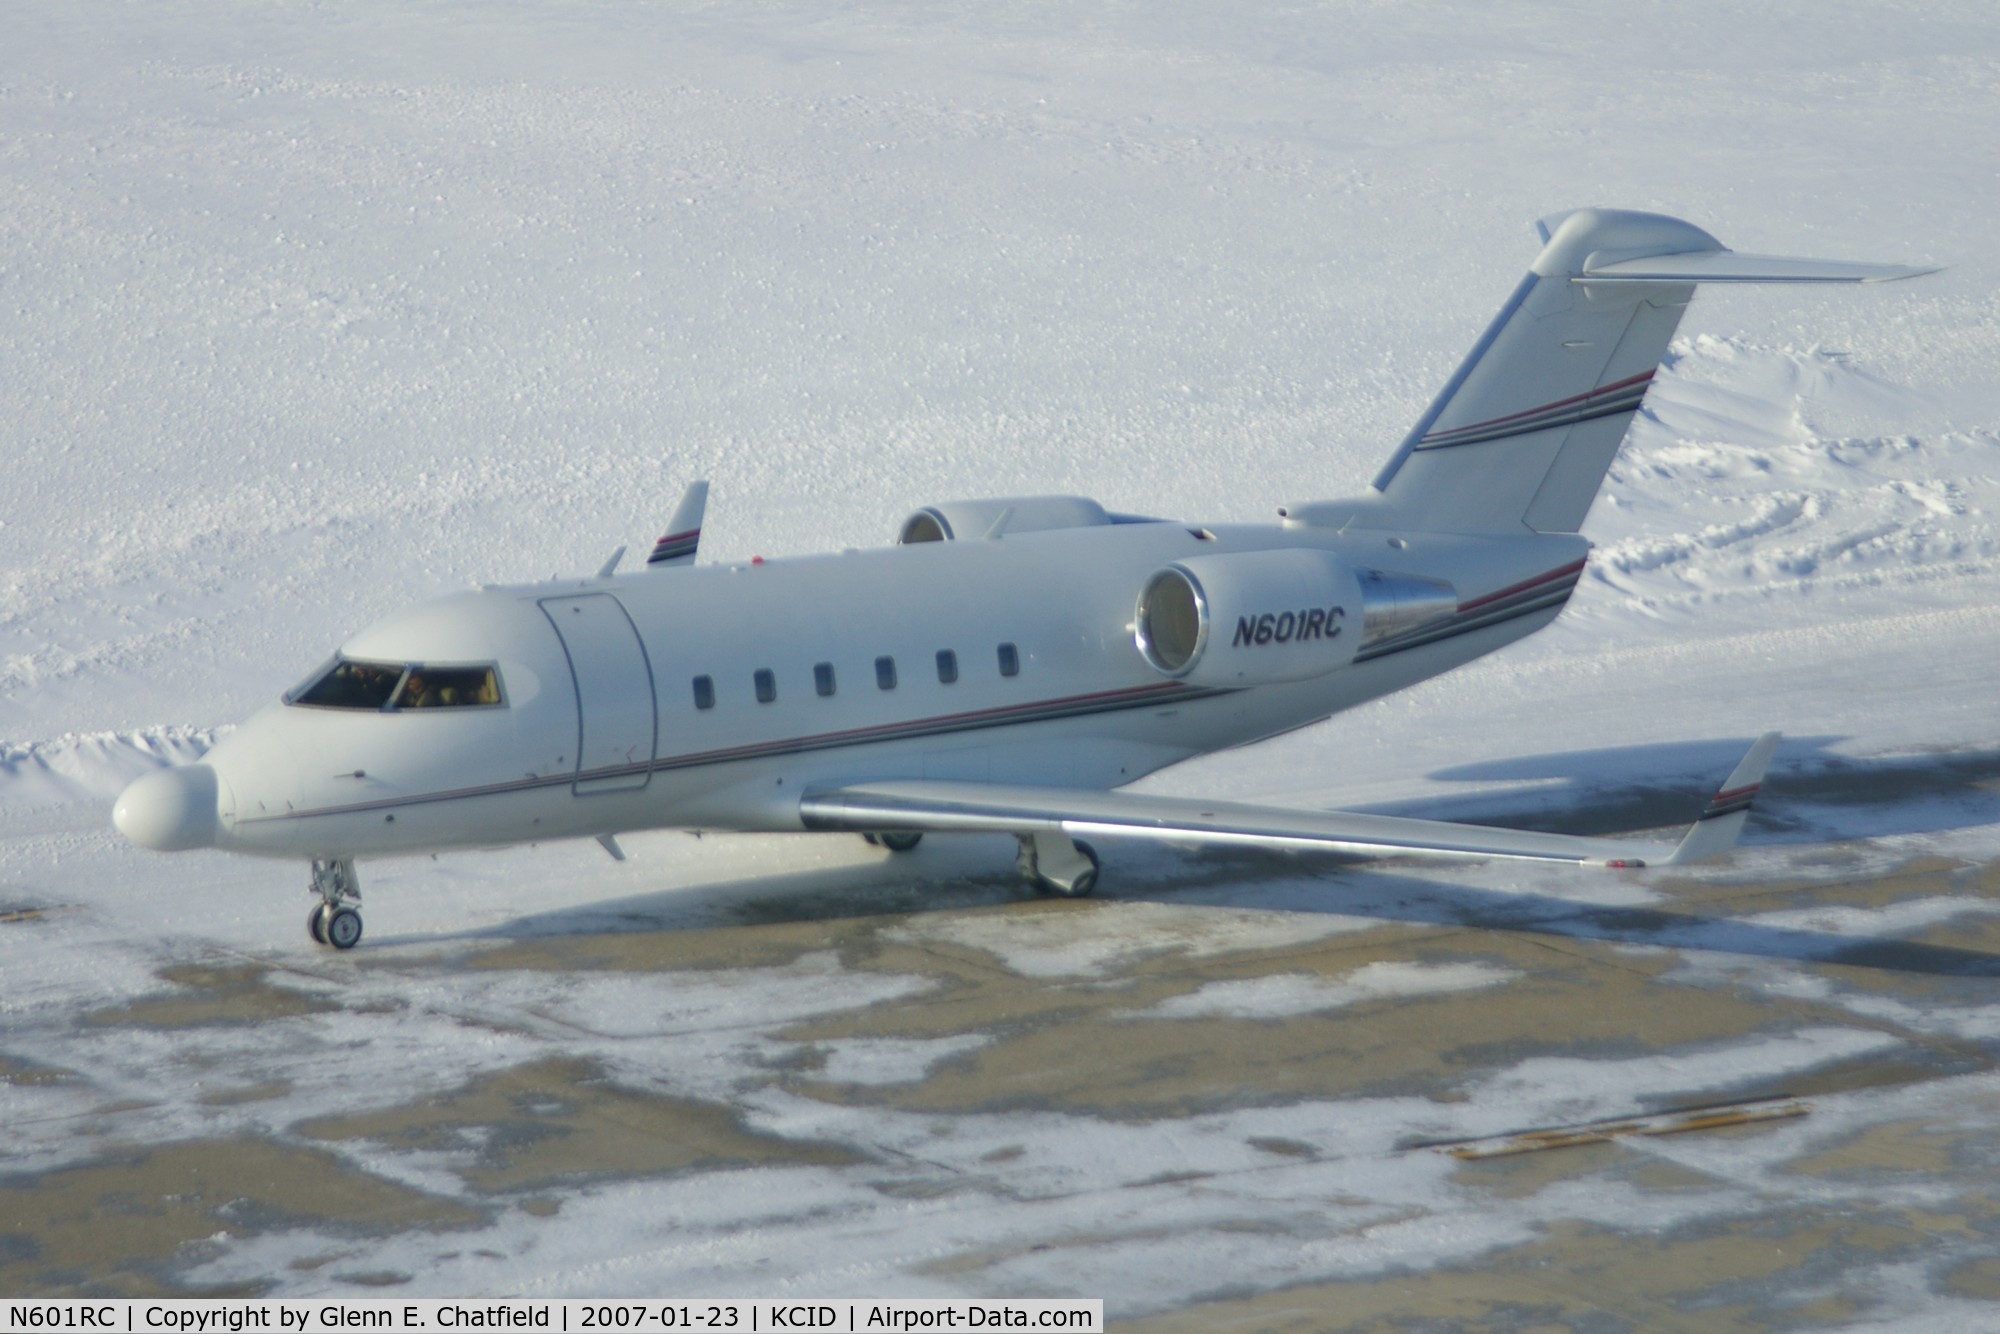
(1009, 665)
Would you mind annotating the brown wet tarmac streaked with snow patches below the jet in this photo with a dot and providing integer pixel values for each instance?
(1217, 1107)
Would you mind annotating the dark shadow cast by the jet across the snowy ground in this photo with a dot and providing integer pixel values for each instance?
(1815, 797)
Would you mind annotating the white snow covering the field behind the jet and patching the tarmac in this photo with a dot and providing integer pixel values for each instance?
(309, 313)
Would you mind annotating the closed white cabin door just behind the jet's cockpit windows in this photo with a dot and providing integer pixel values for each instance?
(617, 721)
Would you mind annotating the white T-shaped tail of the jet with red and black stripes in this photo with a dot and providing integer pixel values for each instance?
(1525, 431)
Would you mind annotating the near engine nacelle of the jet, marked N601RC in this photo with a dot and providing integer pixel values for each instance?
(1251, 619)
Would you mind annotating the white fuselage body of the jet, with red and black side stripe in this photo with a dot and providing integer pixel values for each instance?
(601, 731)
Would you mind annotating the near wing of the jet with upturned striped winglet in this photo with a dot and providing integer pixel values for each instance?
(981, 807)
